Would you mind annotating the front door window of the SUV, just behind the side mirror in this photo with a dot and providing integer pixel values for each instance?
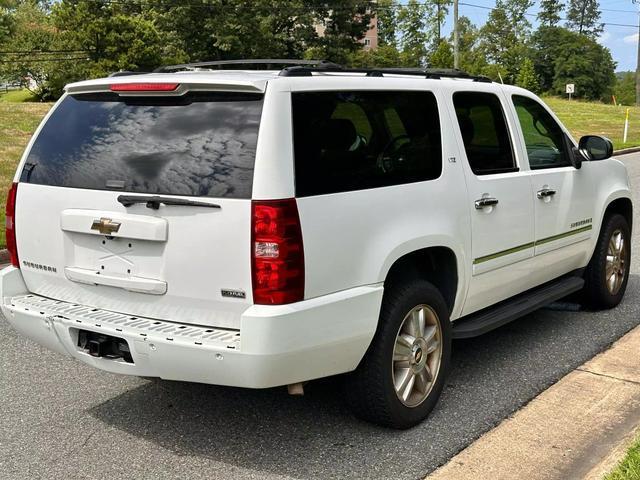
(543, 137)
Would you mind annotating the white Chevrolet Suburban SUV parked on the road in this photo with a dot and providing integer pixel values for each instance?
(266, 228)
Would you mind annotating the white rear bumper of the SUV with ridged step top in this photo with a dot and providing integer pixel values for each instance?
(276, 345)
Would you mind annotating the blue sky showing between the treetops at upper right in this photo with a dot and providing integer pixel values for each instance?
(621, 40)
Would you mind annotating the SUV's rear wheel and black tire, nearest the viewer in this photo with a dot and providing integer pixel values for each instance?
(399, 380)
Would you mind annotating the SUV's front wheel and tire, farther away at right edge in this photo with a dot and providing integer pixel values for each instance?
(608, 271)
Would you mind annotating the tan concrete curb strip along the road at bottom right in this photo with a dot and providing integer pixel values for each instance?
(578, 428)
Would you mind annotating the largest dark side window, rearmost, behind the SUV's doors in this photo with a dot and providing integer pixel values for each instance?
(355, 140)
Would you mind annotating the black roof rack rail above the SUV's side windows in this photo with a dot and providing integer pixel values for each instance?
(429, 73)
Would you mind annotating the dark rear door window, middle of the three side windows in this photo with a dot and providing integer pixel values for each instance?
(484, 133)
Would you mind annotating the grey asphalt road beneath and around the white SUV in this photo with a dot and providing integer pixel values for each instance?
(61, 419)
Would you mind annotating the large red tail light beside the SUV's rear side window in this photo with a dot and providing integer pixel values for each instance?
(276, 252)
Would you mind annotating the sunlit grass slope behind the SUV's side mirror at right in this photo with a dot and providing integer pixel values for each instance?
(583, 118)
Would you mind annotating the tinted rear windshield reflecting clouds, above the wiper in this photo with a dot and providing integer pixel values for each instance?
(201, 144)
